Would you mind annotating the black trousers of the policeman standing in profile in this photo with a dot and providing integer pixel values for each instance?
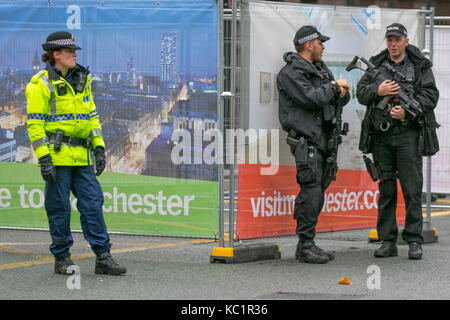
(310, 200)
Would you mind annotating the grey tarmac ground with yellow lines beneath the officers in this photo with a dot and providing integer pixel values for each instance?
(178, 268)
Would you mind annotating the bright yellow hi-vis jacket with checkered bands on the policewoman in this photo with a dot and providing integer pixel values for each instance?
(74, 113)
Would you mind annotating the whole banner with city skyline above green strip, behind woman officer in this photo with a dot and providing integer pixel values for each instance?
(154, 81)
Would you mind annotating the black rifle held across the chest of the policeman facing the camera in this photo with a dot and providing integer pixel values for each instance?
(405, 95)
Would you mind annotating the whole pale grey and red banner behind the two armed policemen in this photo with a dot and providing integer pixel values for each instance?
(351, 200)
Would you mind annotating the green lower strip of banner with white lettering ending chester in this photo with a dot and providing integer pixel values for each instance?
(133, 203)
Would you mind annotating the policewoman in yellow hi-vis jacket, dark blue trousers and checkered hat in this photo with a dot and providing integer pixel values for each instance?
(63, 125)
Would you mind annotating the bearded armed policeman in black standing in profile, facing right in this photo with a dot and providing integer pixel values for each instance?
(307, 109)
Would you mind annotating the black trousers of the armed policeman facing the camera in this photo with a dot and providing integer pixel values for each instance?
(395, 155)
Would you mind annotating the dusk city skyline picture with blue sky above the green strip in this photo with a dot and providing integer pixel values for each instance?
(145, 69)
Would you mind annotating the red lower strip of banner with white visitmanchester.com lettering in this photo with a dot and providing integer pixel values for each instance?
(266, 206)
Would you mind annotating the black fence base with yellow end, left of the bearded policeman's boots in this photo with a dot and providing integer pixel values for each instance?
(245, 253)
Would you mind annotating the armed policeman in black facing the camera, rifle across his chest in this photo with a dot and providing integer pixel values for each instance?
(393, 136)
